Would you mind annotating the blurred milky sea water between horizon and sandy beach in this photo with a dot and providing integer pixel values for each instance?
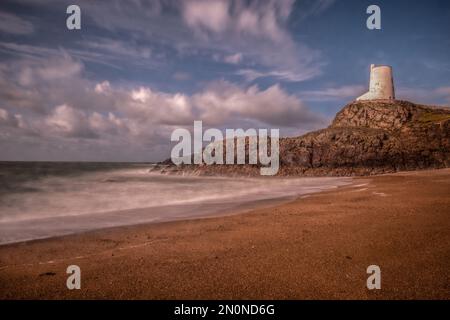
(40, 200)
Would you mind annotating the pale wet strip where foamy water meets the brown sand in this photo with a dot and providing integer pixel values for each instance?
(58, 226)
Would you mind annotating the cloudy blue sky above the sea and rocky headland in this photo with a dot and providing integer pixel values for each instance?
(136, 70)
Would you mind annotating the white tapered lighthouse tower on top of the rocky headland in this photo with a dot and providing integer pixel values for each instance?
(381, 86)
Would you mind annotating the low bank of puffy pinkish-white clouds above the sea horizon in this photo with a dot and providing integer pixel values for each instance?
(51, 100)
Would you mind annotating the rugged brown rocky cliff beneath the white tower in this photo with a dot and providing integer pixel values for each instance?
(366, 137)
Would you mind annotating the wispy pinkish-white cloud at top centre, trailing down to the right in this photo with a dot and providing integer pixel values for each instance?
(256, 30)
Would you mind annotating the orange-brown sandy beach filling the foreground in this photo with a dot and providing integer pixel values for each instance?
(315, 247)
